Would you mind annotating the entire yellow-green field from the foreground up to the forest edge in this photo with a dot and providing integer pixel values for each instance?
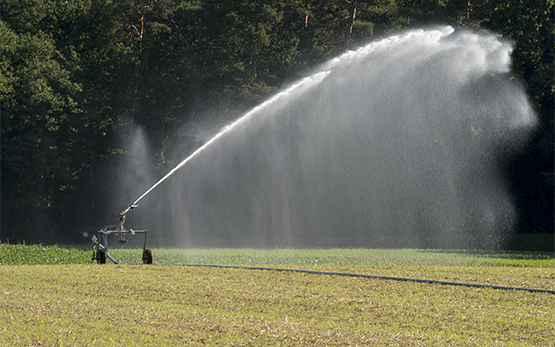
(123, 305)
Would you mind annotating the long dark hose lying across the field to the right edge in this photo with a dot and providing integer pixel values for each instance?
(384, 278)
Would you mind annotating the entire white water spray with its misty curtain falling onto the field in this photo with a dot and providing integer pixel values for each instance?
(398, 144)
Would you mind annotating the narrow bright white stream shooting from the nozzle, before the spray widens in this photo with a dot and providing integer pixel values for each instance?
(302, 84)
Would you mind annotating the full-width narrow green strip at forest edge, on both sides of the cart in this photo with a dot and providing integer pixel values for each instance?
(39, 254)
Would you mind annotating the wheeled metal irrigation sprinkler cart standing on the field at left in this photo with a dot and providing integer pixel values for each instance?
(100, 243)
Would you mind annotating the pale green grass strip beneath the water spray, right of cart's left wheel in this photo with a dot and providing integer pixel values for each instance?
(338, 256)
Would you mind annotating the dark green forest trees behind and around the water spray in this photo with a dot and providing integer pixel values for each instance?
(77, 75)
